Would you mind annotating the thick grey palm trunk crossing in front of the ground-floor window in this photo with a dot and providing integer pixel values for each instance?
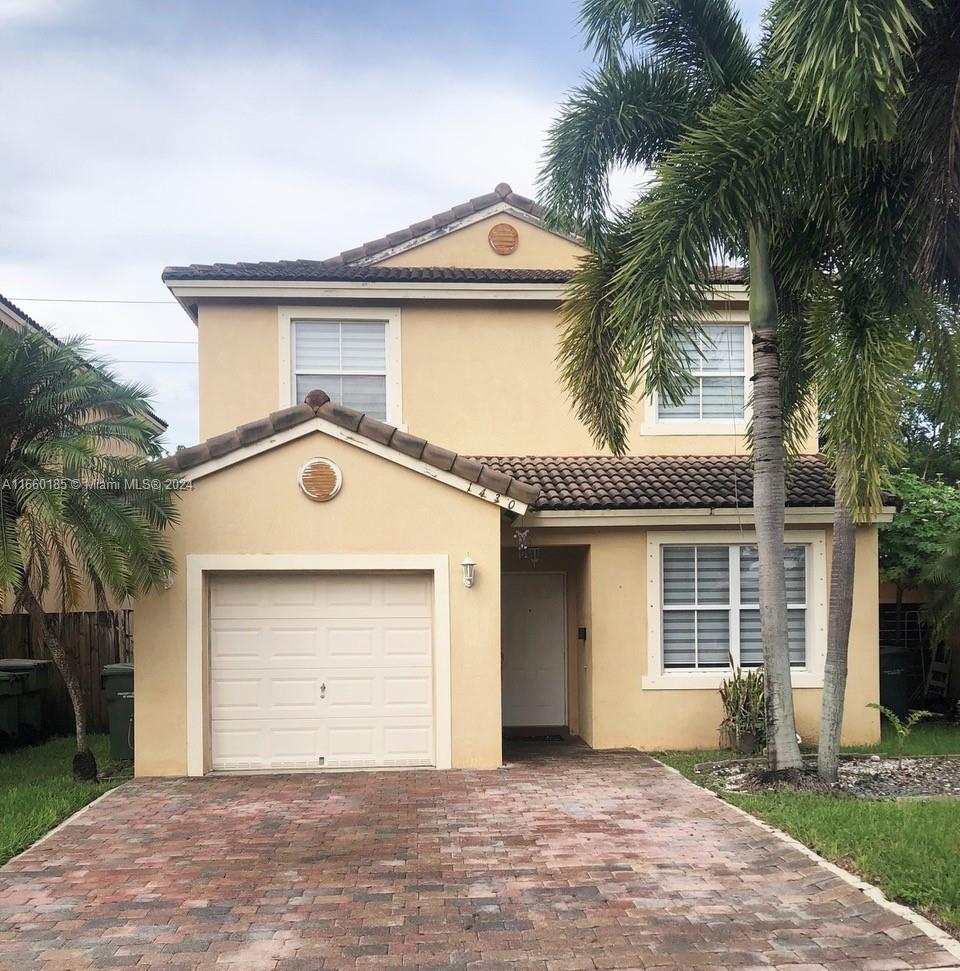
(769, 501)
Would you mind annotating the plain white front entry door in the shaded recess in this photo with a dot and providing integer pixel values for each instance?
(534, 649)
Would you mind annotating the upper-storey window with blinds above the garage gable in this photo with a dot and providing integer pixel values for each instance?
(345, 358)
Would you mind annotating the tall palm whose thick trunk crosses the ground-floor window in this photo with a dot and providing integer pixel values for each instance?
(641, 297)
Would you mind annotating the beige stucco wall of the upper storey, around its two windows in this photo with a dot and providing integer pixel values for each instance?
(479, 377)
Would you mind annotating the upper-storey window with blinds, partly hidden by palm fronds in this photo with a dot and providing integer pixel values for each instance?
(718, 365)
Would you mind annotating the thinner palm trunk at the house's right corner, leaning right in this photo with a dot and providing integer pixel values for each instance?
(842, 566)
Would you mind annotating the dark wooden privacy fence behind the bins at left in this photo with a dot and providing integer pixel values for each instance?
(93, 639)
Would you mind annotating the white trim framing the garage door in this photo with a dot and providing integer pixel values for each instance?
(201, 566)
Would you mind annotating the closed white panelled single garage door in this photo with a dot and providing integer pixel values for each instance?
(311, 670)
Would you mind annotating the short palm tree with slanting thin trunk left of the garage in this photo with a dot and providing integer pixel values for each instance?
(80, 506)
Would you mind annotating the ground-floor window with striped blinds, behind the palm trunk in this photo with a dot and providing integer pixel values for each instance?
(710, 606)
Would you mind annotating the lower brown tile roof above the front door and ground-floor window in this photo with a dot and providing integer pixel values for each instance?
(658, 482)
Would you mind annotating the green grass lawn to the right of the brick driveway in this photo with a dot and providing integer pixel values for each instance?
(910, 849)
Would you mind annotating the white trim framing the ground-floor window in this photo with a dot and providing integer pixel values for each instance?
(658, 678)
